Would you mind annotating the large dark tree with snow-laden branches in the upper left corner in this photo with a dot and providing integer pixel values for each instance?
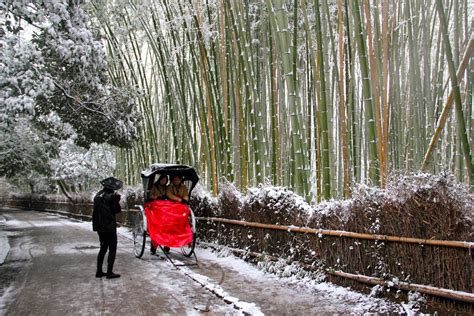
(51, 62)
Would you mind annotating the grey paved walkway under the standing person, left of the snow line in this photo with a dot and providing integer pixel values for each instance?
(50, 270)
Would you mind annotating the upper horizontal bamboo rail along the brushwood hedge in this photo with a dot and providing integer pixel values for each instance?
(340, 233)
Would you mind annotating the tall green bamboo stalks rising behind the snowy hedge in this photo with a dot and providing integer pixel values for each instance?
(313, 95)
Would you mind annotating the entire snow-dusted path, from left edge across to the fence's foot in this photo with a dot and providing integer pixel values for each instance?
(50, 269)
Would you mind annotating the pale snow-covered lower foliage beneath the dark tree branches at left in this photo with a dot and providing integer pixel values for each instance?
(32, 157)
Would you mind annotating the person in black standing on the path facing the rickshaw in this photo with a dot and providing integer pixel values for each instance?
(106, 205)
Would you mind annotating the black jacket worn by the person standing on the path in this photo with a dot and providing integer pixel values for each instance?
(106, 205)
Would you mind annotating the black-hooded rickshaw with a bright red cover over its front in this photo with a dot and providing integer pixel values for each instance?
(163, 221)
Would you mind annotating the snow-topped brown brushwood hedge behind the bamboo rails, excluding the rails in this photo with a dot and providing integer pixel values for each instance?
(419, 206)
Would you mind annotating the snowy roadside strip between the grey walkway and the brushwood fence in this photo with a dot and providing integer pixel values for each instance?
(299, 294)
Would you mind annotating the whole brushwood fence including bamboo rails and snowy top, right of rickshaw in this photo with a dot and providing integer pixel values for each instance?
(416, 239)
